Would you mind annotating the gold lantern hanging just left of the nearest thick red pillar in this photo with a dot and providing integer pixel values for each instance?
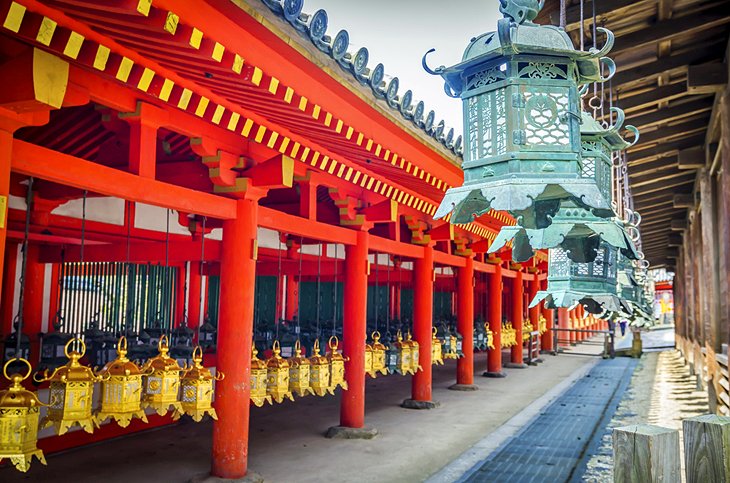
(196, 389)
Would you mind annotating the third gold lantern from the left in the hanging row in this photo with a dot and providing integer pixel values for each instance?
(121, 389)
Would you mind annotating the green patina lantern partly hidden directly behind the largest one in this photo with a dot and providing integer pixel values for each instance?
(574, 227)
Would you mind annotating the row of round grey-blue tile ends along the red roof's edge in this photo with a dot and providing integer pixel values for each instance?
(314, 27)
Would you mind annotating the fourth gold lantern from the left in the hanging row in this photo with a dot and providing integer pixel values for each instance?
(161, 380)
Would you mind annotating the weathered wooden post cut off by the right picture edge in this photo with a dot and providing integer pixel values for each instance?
(707, 448)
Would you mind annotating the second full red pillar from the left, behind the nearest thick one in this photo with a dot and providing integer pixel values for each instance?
(352, 404)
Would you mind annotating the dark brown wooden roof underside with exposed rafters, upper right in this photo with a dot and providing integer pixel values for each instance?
(656, 43)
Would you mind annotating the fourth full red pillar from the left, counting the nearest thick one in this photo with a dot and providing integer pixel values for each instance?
(465, 326)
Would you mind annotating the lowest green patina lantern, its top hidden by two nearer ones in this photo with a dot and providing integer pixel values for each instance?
(591, 284)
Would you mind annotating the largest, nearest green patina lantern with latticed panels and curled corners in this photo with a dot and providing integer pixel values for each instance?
(519, 87)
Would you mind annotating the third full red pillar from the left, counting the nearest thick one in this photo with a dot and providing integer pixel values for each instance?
(423, 276)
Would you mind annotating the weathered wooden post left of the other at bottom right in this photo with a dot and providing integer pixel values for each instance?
(645, 453)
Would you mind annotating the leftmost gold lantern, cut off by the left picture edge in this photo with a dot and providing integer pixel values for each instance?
(19, 413)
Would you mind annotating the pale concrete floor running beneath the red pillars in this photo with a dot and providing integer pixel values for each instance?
(287, 443)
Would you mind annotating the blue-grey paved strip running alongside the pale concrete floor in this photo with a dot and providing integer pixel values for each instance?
(553, 447)
